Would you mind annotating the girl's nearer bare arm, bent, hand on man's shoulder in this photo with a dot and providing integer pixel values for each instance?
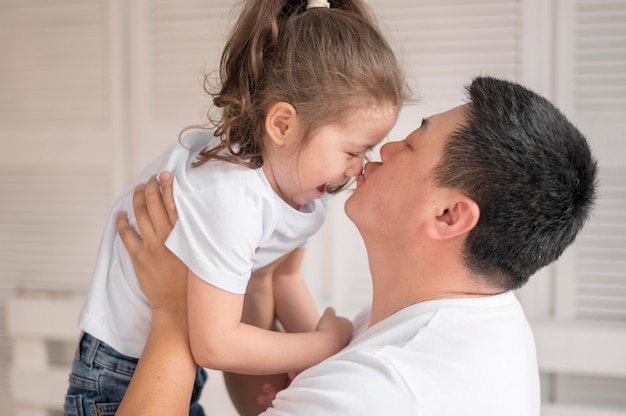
(219, 339)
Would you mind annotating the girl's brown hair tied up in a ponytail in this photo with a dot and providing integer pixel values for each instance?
(325, 62)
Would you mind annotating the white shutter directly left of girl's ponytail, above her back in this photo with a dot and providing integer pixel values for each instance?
(172, 44)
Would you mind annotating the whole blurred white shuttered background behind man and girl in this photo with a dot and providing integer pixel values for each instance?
(92, 90)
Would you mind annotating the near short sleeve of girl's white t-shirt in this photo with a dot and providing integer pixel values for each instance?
(217, 232)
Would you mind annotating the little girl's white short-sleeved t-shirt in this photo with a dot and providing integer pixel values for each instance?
(230, 224)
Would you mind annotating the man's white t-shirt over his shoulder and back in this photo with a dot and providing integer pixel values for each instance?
(470, 357)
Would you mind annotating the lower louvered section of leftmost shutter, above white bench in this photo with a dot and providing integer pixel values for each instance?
(50, 226)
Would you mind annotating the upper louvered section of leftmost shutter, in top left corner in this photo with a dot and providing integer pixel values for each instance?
(54, 65)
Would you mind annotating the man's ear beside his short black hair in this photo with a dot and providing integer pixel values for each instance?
(459, 217)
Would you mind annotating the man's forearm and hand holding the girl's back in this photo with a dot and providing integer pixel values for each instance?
(164, 378)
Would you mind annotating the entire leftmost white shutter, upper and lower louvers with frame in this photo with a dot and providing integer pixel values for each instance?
(61, 131)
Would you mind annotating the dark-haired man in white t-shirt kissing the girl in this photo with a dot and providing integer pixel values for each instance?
(454, 217)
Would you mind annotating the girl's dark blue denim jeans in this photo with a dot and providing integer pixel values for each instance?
(100, 376)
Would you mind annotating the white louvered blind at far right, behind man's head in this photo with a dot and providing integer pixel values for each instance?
(599, 104)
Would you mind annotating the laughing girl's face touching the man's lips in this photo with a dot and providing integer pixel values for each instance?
(332, 154)
